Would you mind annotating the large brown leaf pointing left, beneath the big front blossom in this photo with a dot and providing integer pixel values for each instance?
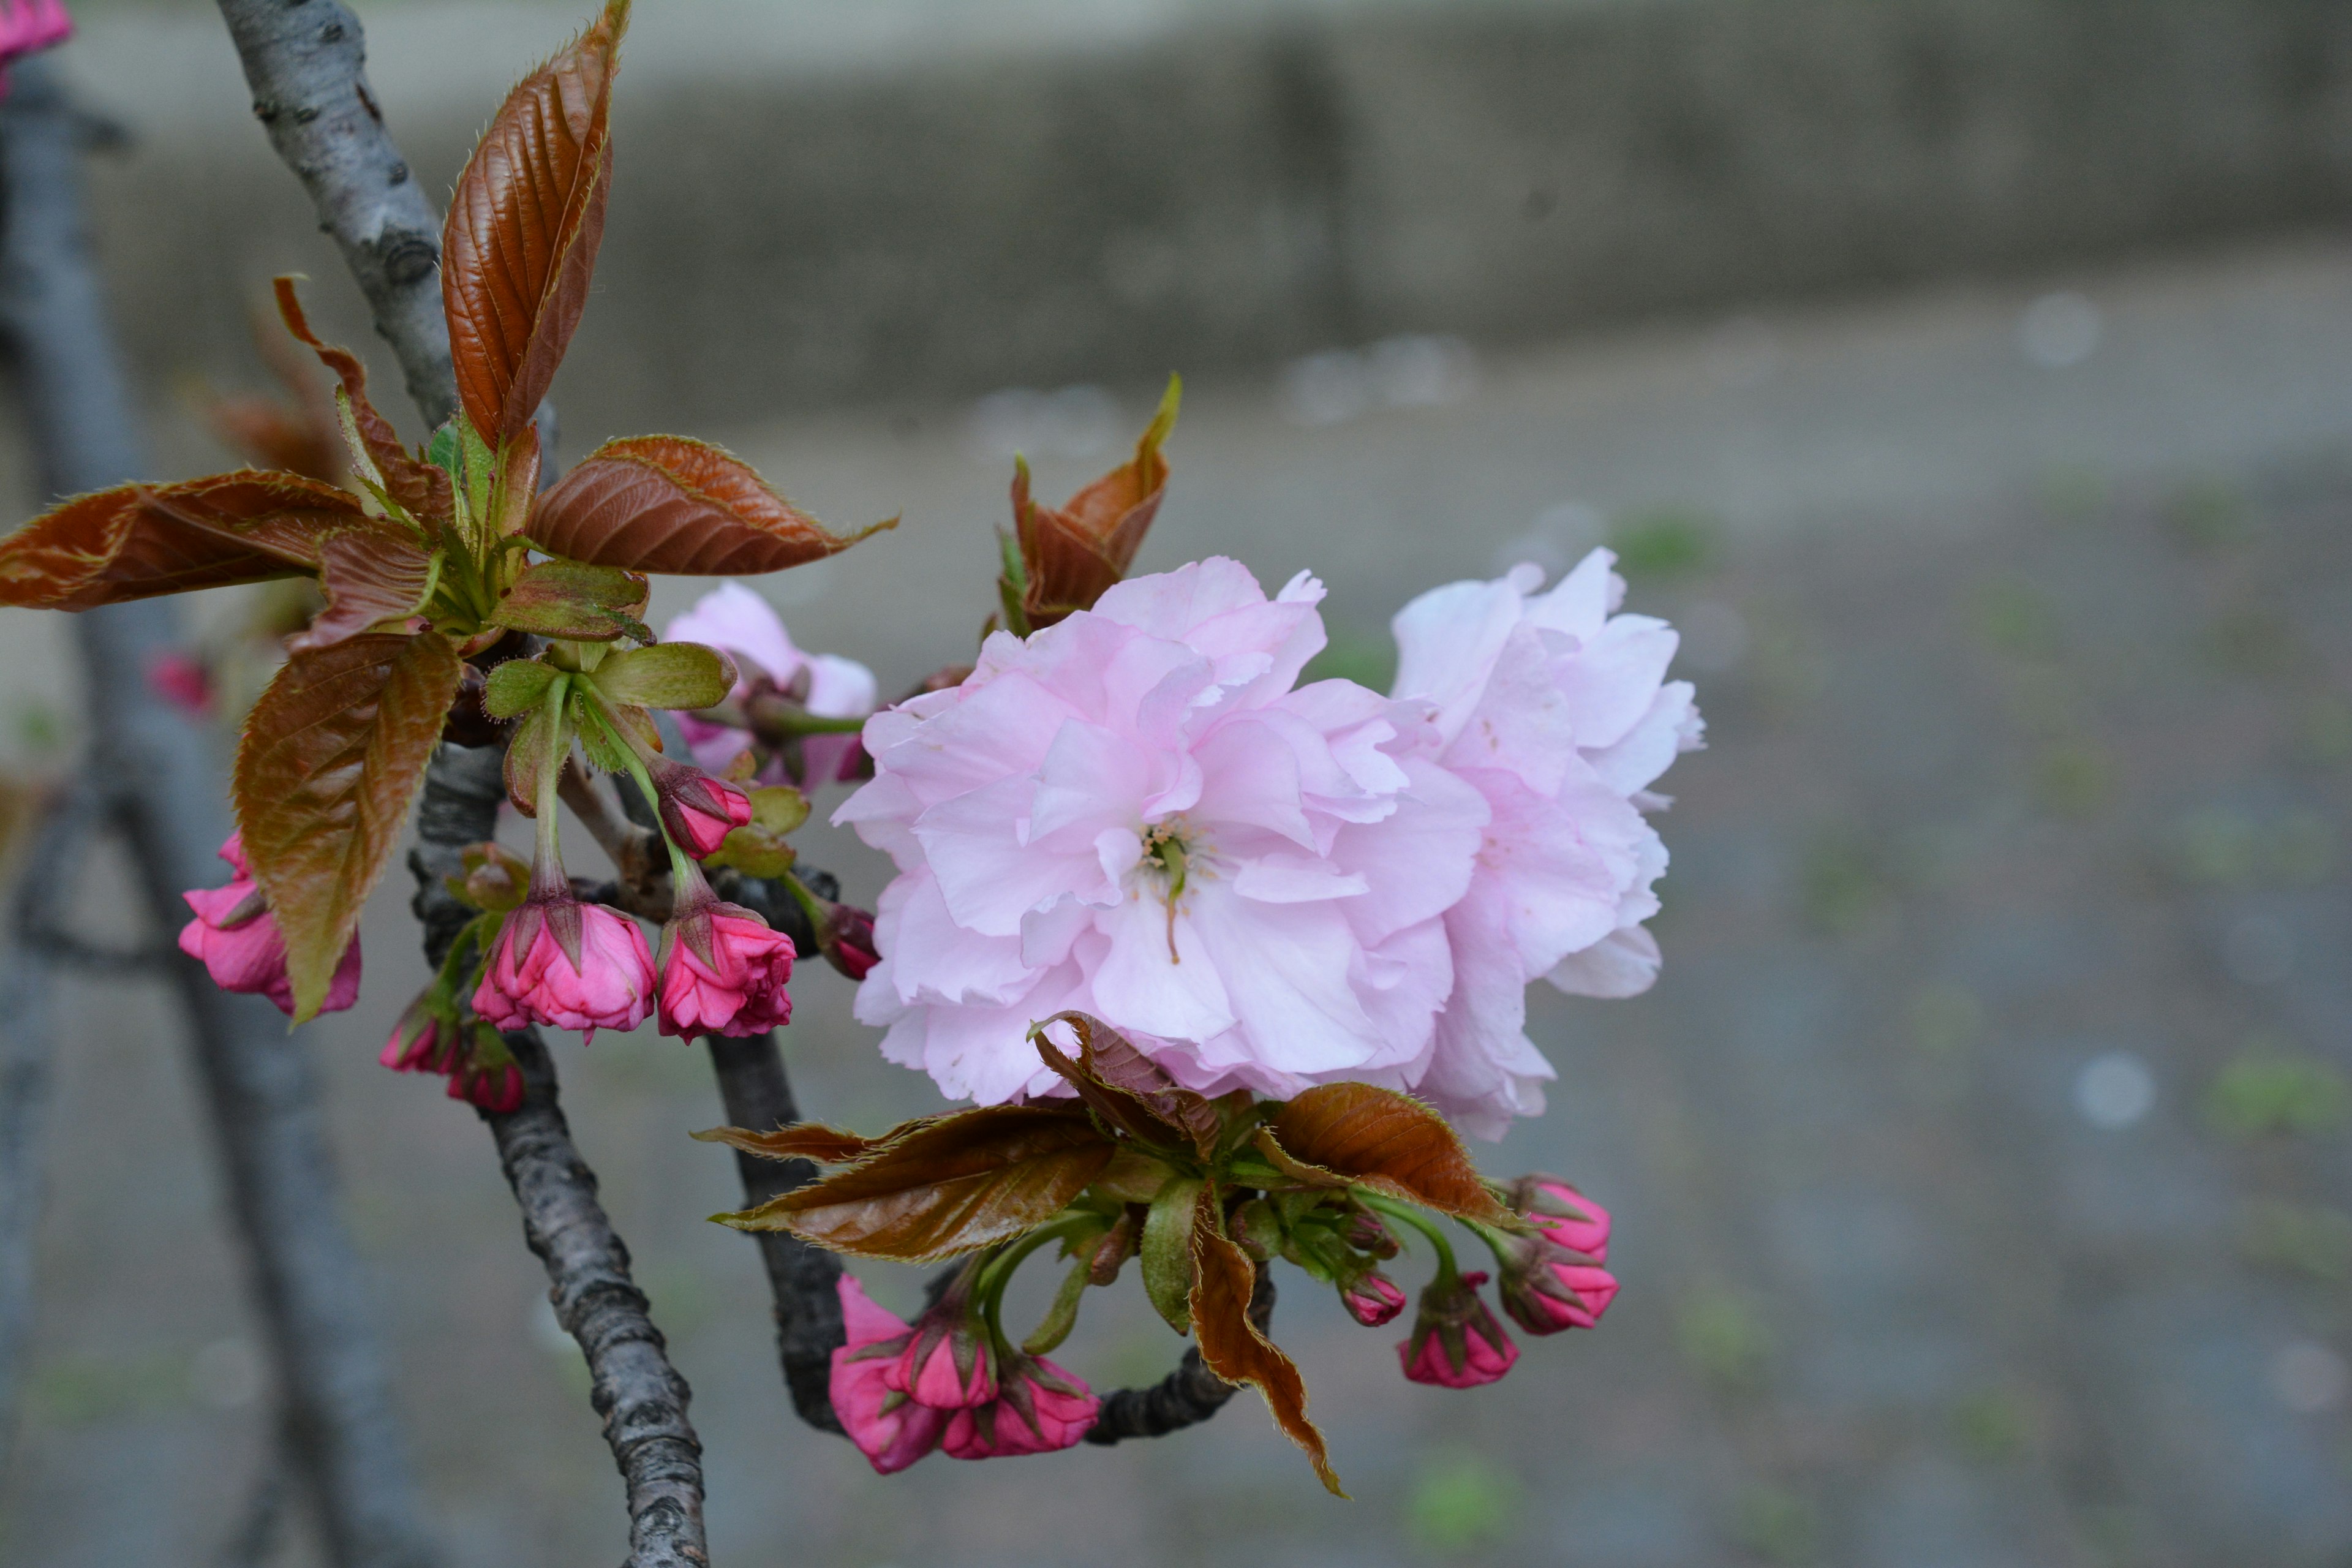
(947, 1188)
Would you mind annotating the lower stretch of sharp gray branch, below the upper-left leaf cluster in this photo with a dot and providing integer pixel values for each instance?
(634, 1386)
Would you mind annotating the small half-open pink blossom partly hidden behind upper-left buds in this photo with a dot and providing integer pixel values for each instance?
(740, 622)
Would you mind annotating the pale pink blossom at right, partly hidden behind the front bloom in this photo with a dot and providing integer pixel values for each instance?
(1561, 716)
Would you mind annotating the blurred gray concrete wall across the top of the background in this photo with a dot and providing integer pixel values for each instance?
(923, 201)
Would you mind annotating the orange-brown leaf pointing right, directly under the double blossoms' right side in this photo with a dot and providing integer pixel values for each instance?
(1387, 1141)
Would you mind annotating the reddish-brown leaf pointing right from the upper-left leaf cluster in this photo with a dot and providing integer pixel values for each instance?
(671, 504)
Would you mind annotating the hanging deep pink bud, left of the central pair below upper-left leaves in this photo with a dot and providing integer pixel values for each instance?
(568, 965)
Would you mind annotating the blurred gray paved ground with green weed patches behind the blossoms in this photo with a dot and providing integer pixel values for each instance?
(2007, 892)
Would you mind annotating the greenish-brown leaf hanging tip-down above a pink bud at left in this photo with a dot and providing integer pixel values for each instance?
(330, 758)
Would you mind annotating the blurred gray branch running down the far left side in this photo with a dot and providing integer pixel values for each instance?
(258, 1080)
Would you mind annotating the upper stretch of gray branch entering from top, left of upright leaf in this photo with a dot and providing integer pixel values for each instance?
(307, 65)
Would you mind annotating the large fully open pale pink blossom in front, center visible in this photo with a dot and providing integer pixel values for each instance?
(1135, 815)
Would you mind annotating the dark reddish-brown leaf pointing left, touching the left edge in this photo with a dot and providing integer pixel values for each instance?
(138, 542)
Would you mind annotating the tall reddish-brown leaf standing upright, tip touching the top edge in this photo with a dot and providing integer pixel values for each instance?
(523, 229)
